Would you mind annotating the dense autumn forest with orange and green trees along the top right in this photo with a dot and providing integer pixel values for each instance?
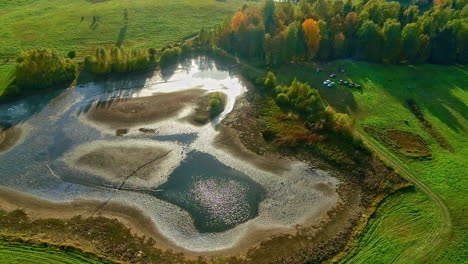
(372, 30)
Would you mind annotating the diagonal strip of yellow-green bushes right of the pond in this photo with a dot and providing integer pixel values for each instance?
(319, 118)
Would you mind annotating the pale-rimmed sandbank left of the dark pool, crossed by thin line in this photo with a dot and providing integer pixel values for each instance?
(142, 164)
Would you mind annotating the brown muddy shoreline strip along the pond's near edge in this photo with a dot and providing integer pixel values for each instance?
(141, 225)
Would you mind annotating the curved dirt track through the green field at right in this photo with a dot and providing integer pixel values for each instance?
(433, 248)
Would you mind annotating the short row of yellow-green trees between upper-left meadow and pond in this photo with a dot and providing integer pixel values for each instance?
(120, 60)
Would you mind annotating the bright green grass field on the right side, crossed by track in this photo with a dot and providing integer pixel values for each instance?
(404, 227)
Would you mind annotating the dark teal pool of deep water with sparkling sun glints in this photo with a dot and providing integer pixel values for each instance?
(217, 197)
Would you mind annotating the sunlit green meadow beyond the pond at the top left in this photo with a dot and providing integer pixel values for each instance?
(151, 23)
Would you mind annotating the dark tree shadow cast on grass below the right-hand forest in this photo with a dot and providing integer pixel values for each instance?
(431, 86)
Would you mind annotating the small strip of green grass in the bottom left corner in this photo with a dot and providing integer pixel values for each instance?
(19, 253)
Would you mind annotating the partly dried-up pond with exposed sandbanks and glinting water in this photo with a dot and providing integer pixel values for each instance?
(199, 197)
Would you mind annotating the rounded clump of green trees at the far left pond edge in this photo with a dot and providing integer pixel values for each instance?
(39, 69)
